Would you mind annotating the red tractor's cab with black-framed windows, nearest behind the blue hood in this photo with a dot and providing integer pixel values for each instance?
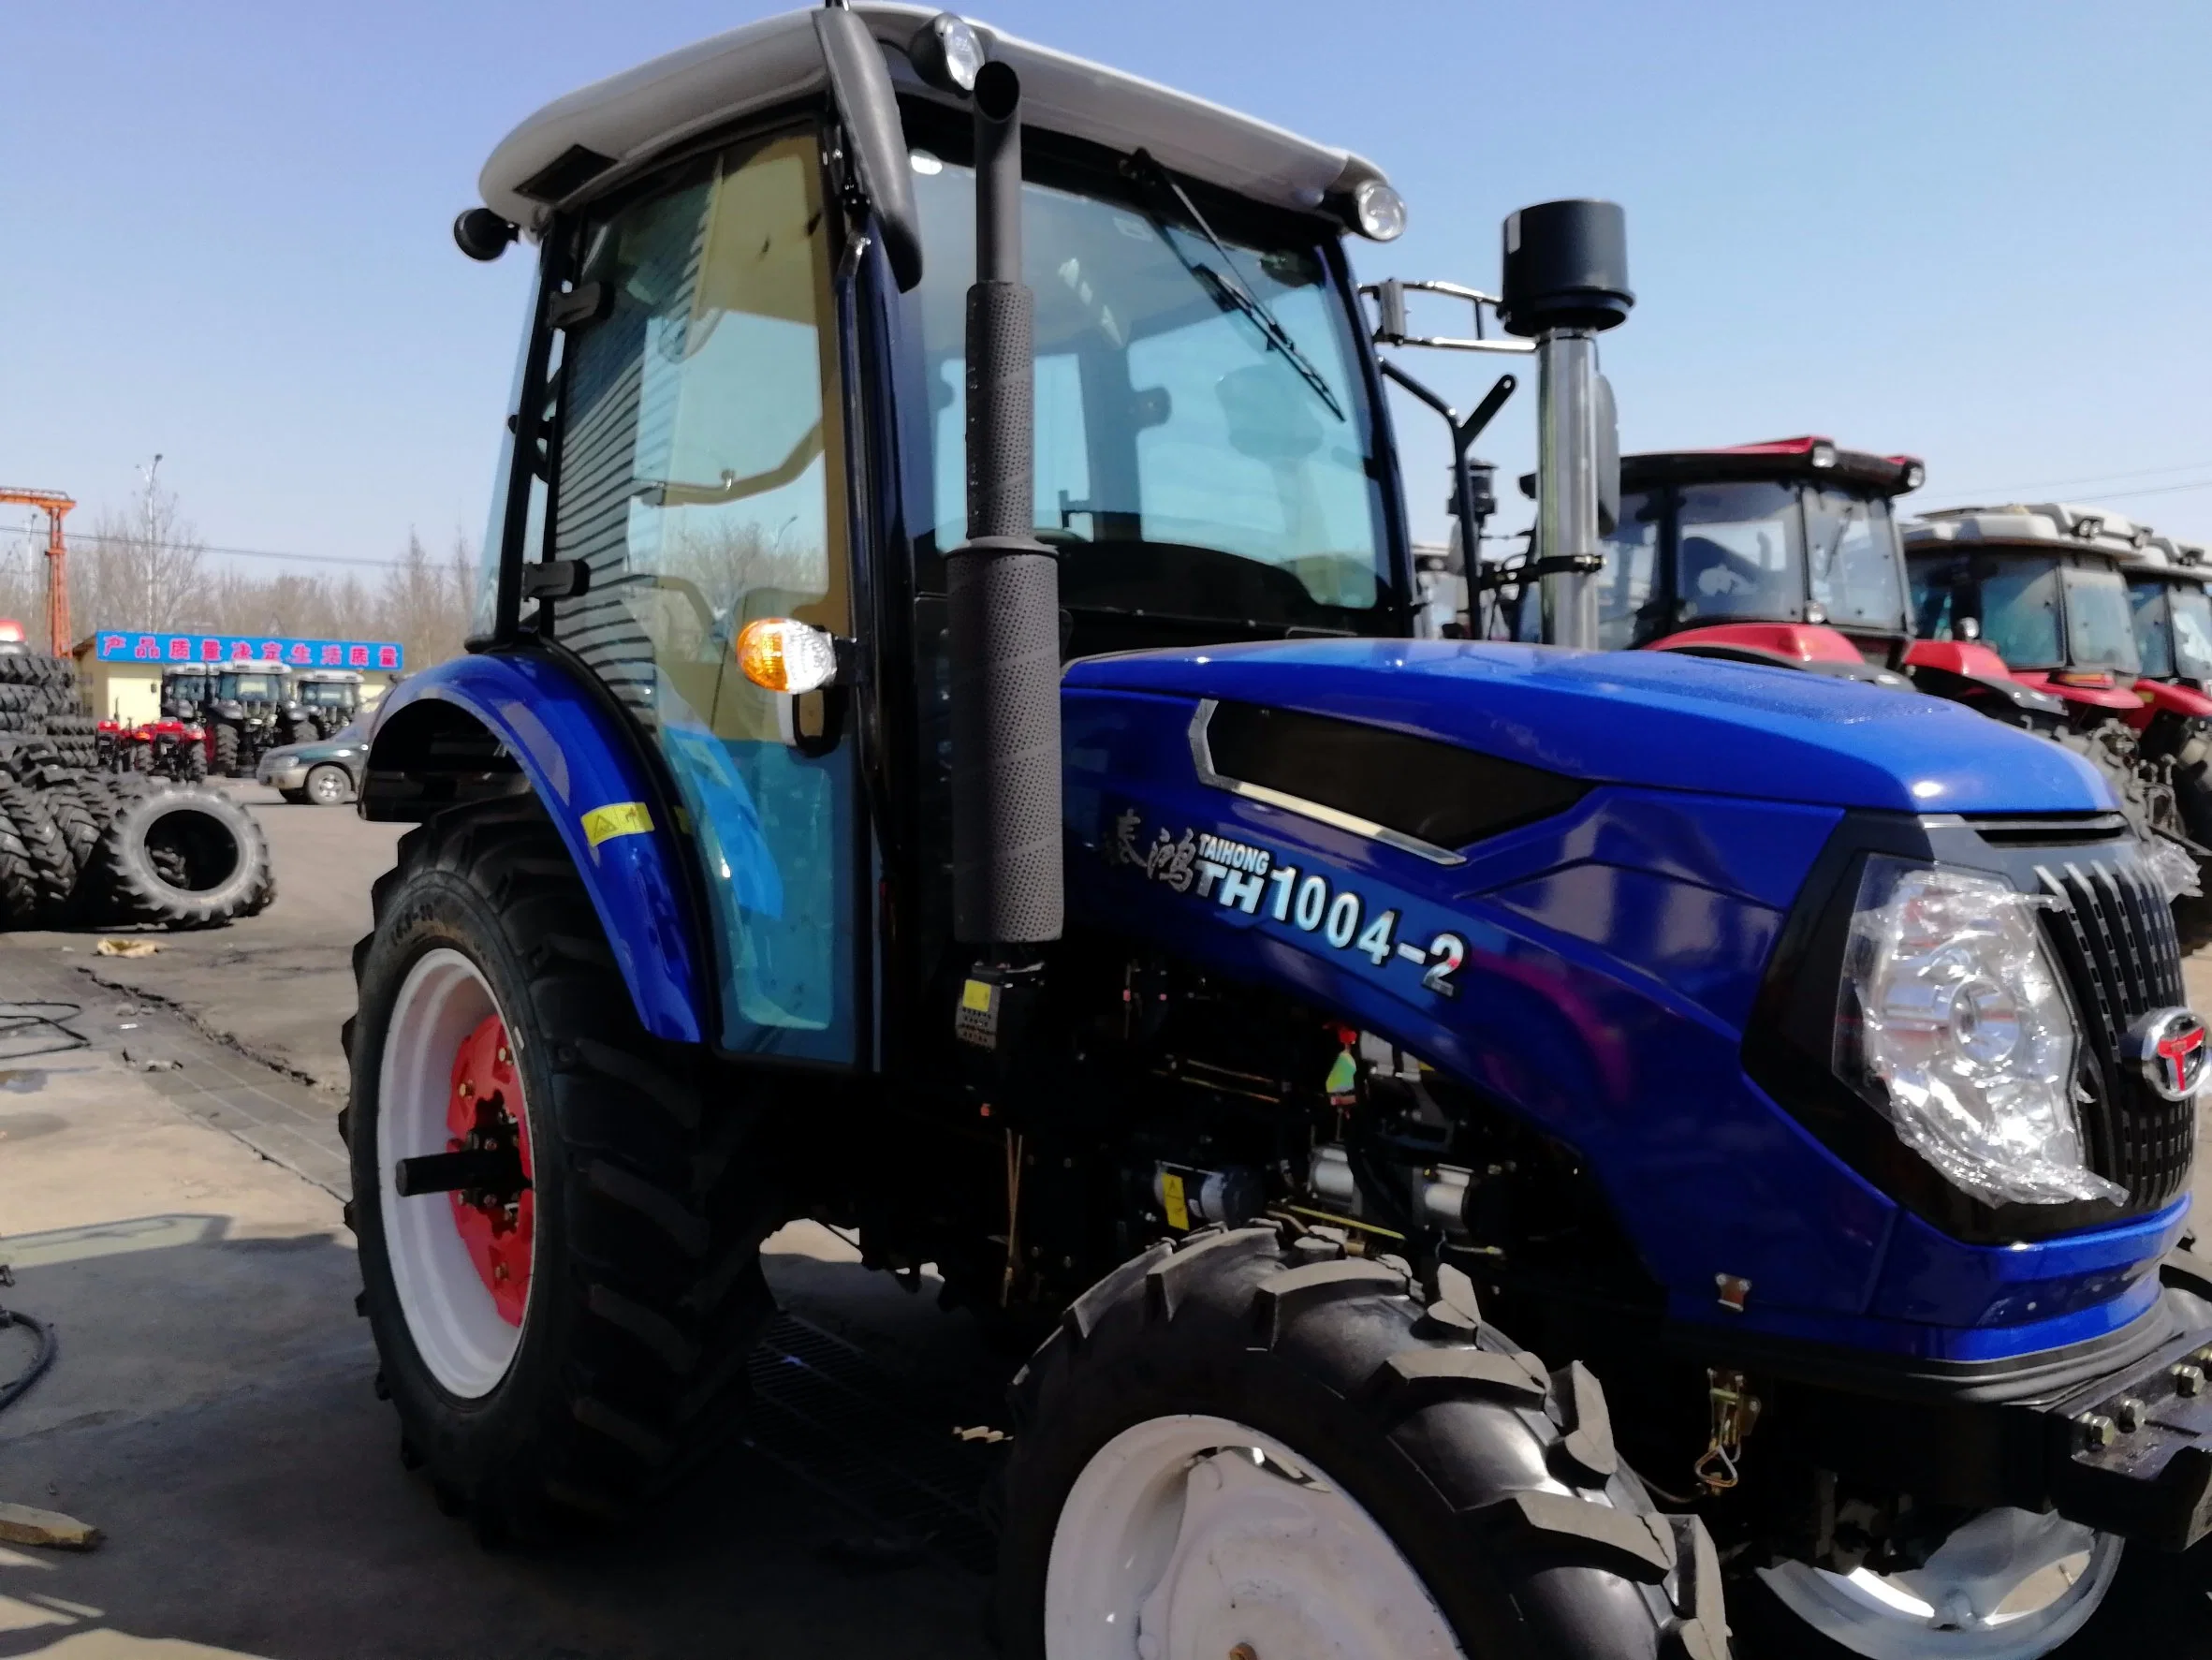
(1768, 552)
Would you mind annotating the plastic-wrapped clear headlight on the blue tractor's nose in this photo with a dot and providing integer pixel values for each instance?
(1954, 1024)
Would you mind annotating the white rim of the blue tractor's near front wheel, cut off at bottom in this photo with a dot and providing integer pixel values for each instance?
(1189, 1537)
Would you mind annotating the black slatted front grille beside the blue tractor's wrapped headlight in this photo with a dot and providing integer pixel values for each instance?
(2116, 935)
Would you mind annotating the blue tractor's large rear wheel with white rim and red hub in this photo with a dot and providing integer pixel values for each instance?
(620, 1360)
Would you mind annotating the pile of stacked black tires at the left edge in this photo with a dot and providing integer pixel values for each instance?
(81, 847)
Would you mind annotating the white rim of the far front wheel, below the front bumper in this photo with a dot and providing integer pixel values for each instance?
(2007, 1586)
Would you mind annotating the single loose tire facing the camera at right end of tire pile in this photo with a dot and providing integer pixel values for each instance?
(182, 860)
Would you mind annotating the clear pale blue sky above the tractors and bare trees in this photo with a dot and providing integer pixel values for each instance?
(1972, 231)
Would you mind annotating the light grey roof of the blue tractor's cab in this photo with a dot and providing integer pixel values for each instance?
(614, 129)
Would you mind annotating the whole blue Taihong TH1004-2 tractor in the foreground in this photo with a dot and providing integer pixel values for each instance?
(1494, 1150)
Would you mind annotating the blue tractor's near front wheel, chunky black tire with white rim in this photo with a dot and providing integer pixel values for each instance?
(1295, 1455)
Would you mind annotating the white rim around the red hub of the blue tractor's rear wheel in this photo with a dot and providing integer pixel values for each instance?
(450, 1311)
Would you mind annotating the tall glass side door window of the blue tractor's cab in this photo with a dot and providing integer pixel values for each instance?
(700, 477)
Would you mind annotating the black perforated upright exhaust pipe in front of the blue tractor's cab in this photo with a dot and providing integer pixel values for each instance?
(1003, 588)
